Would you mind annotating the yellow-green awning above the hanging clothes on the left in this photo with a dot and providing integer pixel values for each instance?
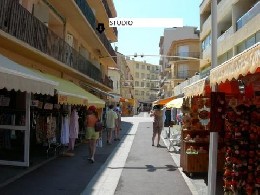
(70, 93)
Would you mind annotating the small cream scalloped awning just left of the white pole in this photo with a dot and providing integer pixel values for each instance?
(195, 89)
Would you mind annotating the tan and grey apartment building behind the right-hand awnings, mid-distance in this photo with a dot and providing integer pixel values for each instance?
(183, 43)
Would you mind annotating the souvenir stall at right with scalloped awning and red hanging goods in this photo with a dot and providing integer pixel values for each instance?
(238, 89)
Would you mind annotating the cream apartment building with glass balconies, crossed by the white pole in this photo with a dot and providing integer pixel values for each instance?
(238, 29)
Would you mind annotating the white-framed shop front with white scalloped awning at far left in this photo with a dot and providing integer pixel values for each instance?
(16, 85)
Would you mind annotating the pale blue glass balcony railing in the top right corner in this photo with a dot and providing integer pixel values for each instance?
(248, 16)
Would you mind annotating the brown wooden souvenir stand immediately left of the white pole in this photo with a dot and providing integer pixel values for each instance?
(195, 136)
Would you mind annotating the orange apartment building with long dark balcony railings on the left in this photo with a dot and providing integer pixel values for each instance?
(46, 35)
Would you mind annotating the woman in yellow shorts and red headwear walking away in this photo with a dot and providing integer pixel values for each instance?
(91, 134)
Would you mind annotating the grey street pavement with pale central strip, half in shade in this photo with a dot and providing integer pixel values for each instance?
(129, 166)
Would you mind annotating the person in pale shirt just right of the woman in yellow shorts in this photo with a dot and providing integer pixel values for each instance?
(111, 117)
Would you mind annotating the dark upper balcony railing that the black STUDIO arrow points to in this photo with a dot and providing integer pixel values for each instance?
(89, 15)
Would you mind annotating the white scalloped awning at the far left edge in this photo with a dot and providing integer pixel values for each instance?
(17, 77)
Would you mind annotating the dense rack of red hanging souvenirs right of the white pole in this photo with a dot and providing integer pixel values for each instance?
(242, 138)
